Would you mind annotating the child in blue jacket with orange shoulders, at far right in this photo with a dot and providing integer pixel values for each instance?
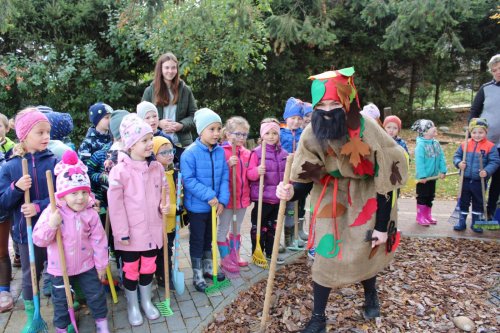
(478, 147)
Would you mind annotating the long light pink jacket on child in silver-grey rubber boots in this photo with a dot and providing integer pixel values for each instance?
(134, 198)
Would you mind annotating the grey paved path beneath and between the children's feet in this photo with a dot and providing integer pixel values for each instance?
(194, 310)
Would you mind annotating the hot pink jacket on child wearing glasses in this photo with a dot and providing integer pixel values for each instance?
(242, 186)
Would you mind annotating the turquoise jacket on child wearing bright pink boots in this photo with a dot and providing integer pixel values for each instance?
(429, 158)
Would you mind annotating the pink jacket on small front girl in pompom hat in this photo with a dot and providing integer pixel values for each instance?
(84, 242)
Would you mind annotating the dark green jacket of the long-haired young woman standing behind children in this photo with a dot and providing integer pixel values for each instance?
(186, 107)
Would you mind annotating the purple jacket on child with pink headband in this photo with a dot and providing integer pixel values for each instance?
(275, 170)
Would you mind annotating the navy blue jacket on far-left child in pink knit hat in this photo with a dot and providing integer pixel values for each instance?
(12, 198)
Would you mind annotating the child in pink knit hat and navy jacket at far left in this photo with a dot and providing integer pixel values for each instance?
(33, 131)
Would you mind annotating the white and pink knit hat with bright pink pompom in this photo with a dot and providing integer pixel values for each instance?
(71, 175)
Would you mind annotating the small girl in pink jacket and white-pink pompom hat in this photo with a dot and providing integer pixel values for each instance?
(84, 242)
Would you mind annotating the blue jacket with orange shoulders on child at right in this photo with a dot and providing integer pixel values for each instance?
(491, 160)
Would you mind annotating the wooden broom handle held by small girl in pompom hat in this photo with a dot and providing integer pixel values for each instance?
(62, 257)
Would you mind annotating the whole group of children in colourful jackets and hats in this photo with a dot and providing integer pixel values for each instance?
(122, 167)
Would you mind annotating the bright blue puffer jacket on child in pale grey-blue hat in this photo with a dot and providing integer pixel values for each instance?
(205, 175)
